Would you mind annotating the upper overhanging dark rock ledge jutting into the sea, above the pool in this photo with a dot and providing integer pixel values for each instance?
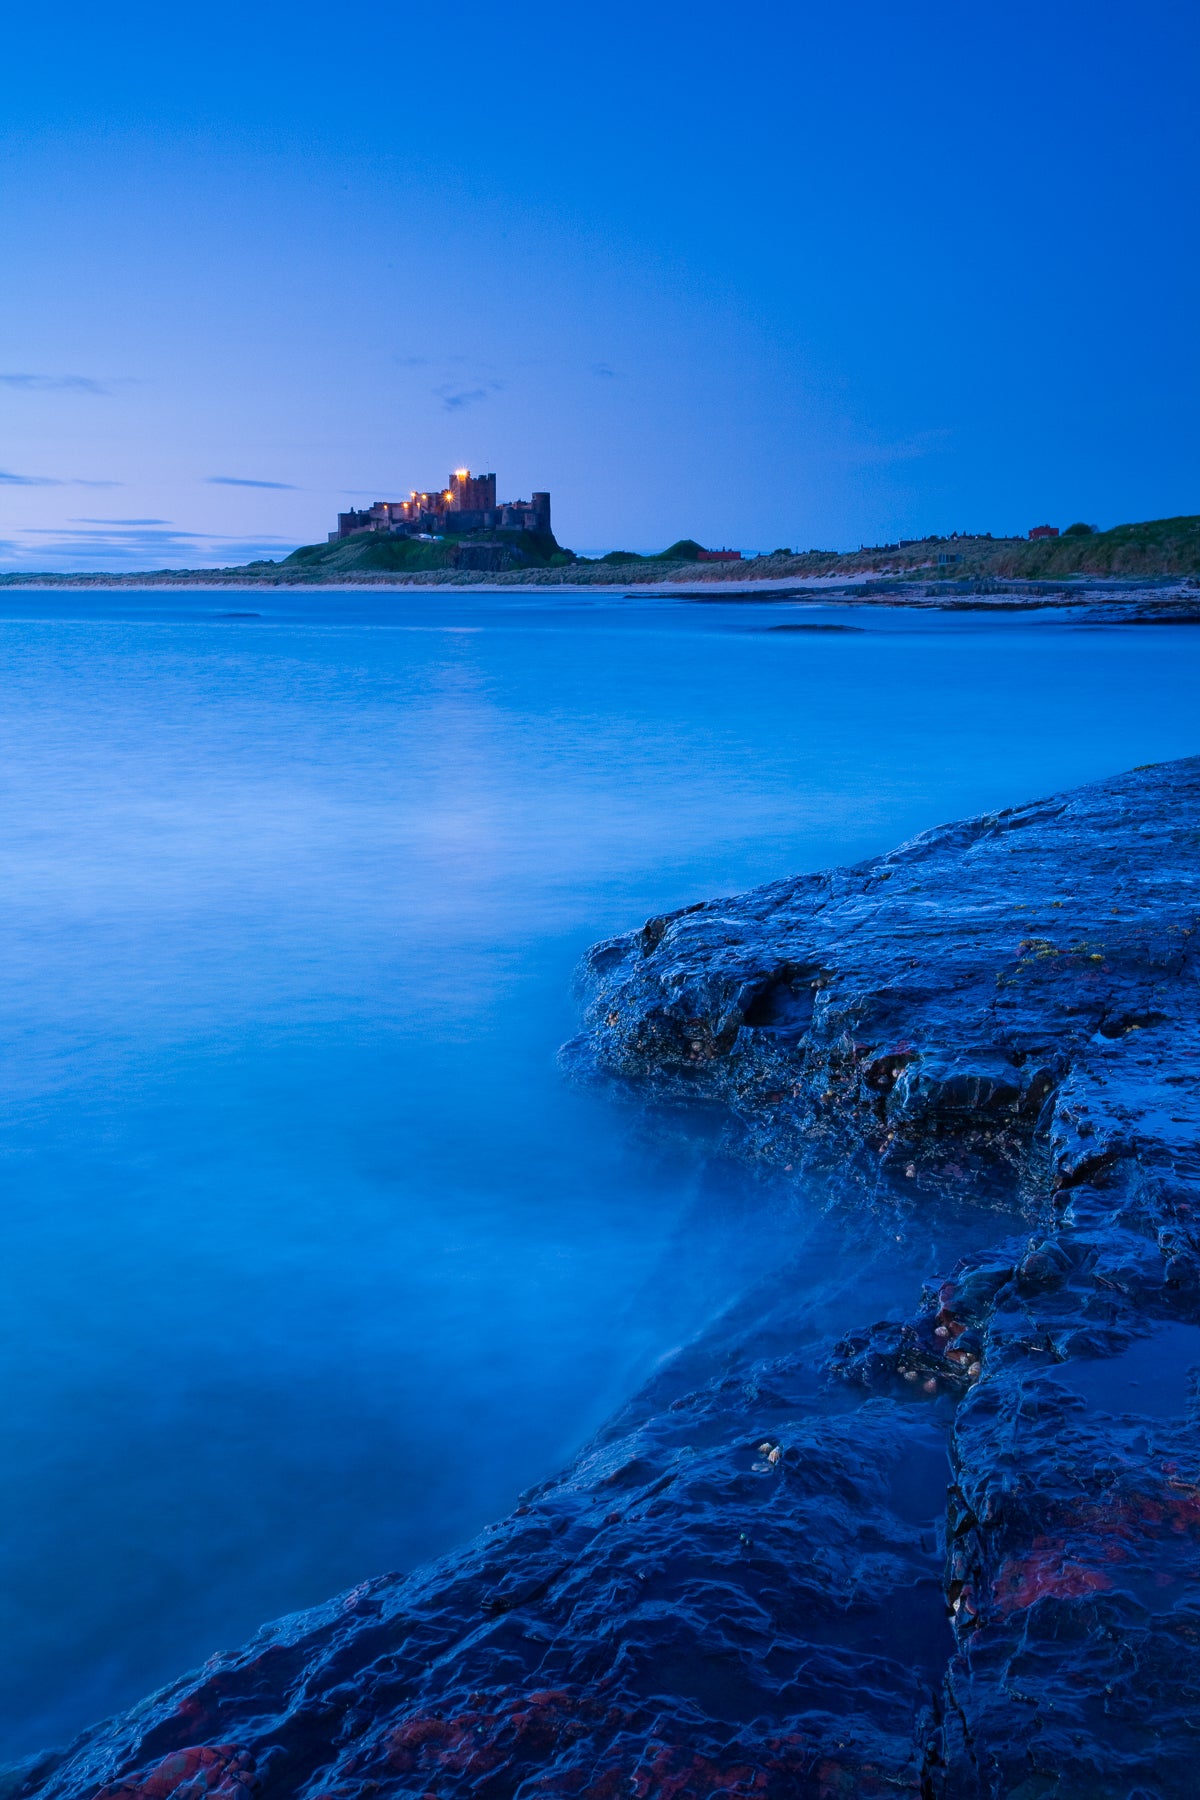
(969, 1009)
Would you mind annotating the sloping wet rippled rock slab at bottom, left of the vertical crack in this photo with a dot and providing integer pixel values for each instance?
(683, 1614)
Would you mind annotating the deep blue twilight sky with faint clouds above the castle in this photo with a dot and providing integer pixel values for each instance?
(769, 276)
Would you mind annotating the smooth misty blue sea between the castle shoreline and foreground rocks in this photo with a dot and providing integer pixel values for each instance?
(310, 1261)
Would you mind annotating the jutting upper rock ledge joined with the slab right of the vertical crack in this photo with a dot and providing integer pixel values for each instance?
(999, 1009)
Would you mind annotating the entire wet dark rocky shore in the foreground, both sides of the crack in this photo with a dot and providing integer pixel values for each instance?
(872, 1534)
